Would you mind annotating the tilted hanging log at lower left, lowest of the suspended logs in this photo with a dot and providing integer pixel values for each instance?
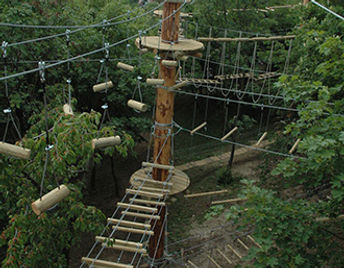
(50, 199)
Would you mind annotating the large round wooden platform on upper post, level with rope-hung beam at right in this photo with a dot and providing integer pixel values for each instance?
(184, 45)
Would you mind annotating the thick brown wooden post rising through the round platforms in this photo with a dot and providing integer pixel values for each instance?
(163, 122)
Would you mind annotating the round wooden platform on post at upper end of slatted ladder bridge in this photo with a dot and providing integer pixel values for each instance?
(180, 181)
